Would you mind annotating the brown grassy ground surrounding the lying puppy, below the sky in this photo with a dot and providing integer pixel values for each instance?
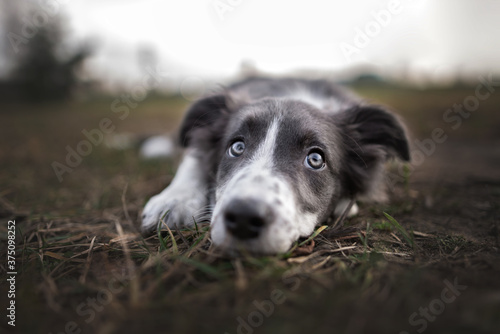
(82, 267)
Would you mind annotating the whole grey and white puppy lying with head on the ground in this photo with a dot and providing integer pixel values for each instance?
(269, 196)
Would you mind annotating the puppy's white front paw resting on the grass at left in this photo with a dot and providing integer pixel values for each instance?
(174, 207)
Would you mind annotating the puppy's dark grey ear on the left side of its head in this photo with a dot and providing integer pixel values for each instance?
(203, 117)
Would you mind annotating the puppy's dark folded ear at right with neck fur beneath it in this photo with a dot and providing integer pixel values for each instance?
(371, 135)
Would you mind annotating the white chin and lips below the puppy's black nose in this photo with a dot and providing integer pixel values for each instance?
(268, 243)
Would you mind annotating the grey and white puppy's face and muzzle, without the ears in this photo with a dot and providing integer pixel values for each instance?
(277, 176)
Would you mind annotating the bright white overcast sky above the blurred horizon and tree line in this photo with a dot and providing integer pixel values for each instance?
(422, 39)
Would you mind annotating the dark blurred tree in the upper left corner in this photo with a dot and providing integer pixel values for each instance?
(40, 64)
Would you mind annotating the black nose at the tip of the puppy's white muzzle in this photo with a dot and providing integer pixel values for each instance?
(245, 219)
